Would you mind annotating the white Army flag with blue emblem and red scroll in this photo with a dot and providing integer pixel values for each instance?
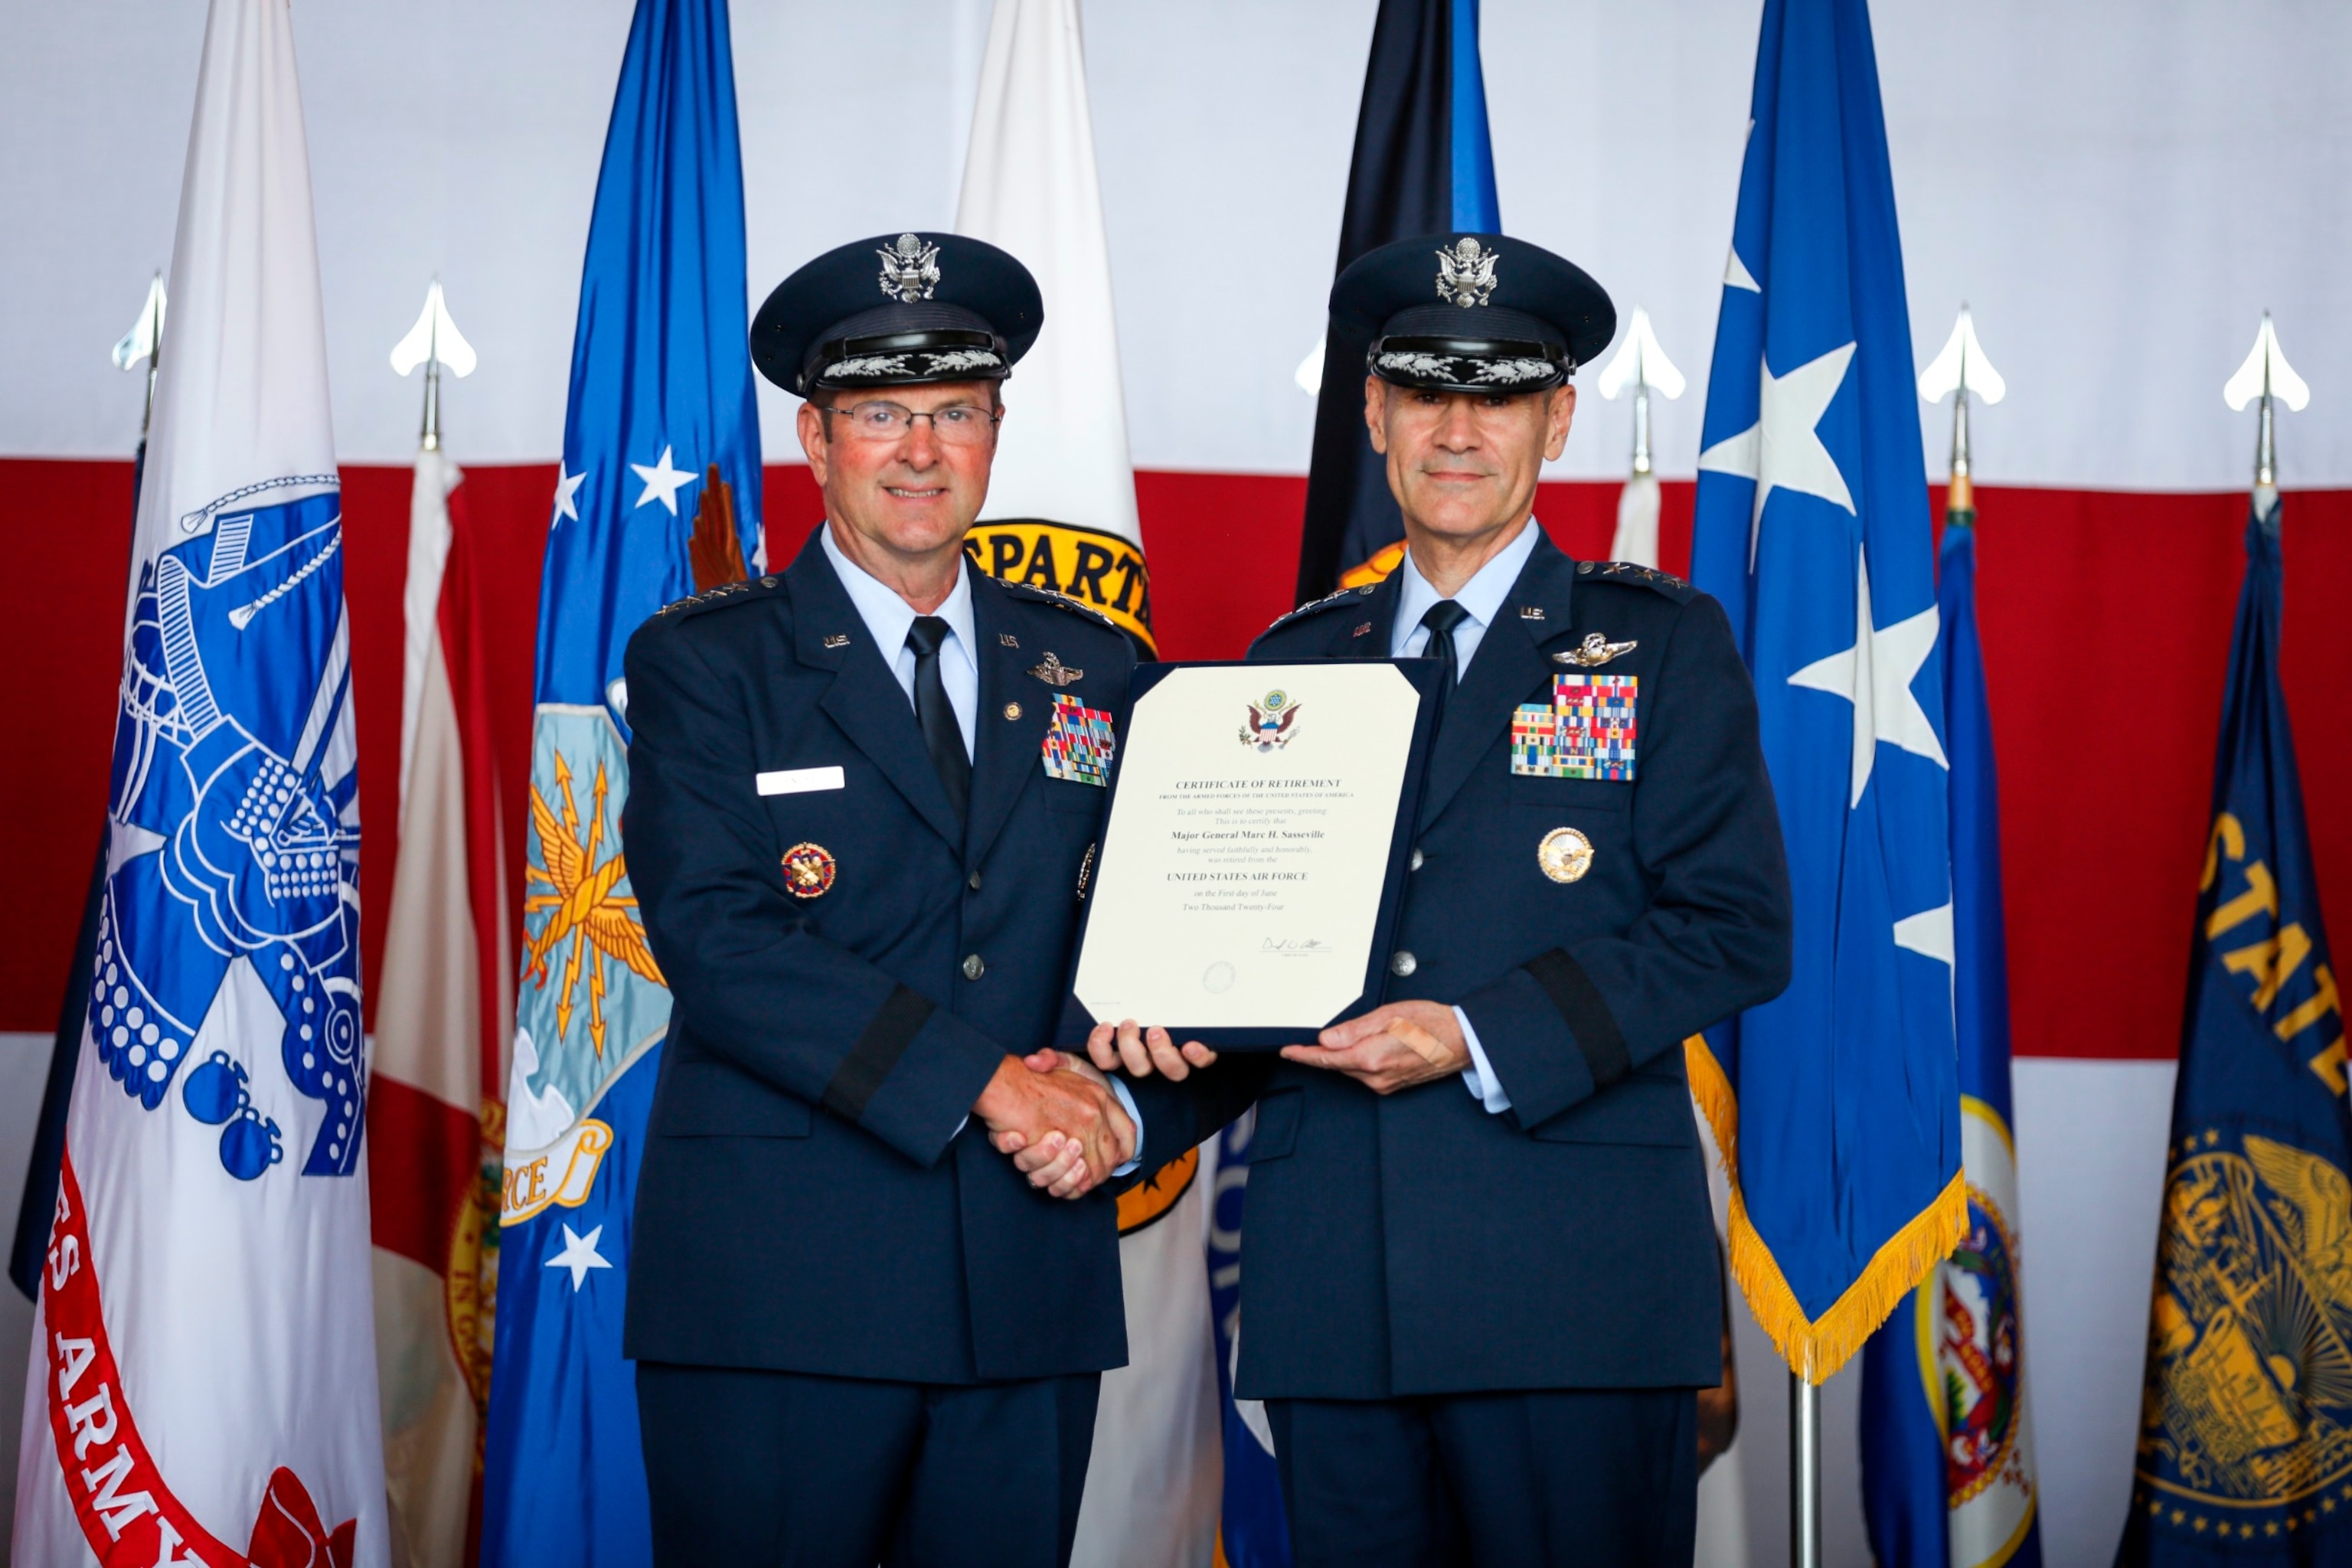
(203, 1376)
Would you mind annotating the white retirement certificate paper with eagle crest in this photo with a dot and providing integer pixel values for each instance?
(1248, 845)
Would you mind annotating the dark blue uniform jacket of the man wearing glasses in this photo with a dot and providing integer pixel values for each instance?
(813, 1198)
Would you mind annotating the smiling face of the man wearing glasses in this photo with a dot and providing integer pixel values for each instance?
(909, 497)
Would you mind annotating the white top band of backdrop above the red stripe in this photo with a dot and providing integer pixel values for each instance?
(2118, 192)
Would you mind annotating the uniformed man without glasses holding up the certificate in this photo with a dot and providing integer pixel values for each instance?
(1481, 1280)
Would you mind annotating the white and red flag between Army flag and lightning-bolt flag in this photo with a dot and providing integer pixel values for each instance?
(434, 1123)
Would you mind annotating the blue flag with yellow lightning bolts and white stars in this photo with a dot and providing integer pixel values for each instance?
(660, 436)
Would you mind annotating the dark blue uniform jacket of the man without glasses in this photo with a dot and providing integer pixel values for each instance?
(1419, 1245)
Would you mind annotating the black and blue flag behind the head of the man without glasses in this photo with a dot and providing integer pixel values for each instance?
(1422, 163)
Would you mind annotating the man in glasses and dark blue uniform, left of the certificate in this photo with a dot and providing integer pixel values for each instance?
(867, 796)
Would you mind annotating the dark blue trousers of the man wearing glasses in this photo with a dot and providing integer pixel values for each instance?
(789, 1470)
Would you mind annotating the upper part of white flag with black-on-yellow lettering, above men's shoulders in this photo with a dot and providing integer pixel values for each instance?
(1062, 500)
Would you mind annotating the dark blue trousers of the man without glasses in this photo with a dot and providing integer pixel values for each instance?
(1521, 1480)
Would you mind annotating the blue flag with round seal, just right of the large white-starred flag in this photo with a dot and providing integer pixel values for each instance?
(1949, 1459)
